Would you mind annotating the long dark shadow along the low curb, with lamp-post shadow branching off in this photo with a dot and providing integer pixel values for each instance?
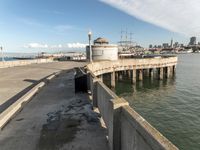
(13, 99)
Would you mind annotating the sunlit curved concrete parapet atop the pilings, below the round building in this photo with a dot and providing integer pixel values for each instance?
(102, 67)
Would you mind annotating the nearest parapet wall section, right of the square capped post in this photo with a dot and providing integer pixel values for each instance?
(135, 129)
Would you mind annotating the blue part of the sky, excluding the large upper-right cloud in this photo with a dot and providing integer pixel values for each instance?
(50, 25)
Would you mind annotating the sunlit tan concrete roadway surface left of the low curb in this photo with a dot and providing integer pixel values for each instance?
(16, 81)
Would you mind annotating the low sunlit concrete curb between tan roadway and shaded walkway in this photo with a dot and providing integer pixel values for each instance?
(9, 113)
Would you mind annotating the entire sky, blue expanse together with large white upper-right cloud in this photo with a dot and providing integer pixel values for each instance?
(62, 25)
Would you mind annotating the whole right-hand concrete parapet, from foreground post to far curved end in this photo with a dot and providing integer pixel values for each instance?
(126, 128)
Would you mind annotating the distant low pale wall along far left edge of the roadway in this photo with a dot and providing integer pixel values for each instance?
(7, 64)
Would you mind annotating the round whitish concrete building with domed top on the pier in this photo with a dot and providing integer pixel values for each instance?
(102, 50)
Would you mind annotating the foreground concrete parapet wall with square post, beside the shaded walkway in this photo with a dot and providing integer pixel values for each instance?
(127, 130)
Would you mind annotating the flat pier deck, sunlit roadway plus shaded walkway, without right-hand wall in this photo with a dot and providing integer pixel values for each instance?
(55, 117)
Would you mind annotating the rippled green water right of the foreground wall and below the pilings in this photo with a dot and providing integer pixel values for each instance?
(172, 106)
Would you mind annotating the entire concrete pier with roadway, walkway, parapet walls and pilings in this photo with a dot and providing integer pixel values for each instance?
(57, 106)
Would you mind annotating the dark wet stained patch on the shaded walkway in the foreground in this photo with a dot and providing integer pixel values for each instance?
(71, 121)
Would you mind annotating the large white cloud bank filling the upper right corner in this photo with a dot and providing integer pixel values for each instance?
(181, 16)
